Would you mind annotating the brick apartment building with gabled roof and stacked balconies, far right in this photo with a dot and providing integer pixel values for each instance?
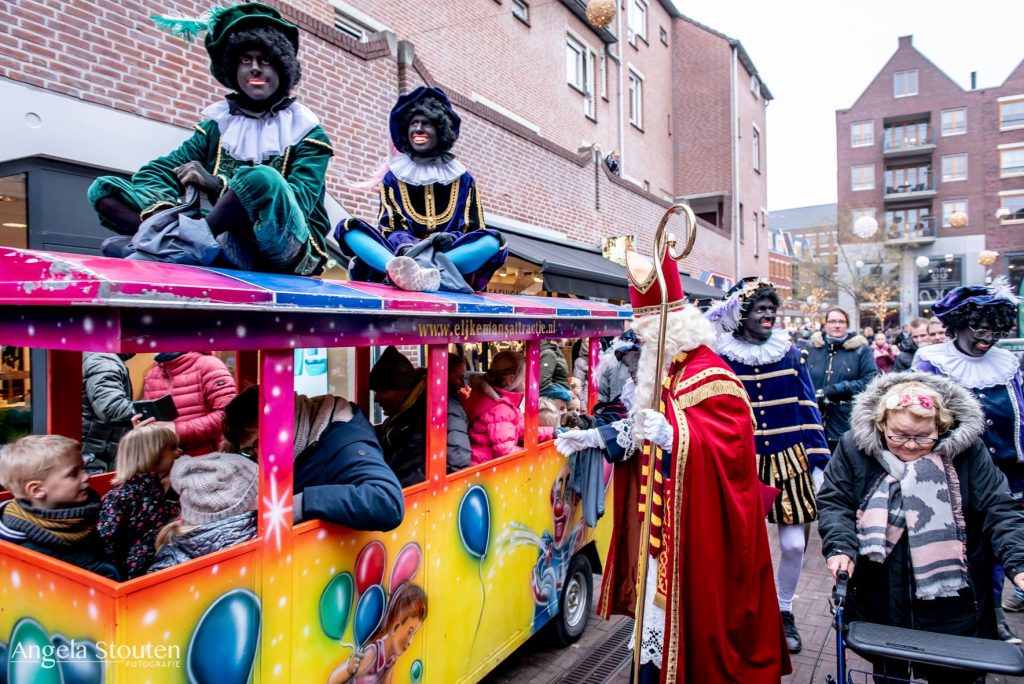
(915, 150)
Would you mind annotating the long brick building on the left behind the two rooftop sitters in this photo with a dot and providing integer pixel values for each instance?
(94, 88)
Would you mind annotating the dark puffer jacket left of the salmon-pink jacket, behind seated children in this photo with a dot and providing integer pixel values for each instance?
(107, 409)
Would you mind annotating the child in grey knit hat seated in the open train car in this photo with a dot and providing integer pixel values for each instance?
(219, 496)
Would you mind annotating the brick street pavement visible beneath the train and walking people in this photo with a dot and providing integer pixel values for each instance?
(539, 663)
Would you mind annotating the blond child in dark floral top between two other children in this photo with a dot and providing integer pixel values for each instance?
(143, 503)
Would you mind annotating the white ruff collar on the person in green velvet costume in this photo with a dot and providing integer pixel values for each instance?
(259, 140)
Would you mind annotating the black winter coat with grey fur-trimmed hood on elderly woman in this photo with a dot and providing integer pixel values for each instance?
(995, 523)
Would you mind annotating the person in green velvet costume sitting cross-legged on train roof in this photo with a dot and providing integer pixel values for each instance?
(259, 156)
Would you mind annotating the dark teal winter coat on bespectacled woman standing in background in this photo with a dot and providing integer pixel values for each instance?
(842, 370)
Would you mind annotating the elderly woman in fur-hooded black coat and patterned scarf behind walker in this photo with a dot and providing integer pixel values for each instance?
(915, 510)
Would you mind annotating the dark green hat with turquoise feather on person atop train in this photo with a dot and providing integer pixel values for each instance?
(220, 23)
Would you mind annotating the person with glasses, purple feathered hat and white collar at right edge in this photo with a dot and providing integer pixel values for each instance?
(976, 318)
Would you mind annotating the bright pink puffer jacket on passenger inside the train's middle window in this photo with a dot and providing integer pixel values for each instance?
(496, 423)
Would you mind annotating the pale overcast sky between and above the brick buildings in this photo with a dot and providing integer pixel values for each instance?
(819, 56)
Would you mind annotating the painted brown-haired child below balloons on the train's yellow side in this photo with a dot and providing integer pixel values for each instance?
(373, 665)
